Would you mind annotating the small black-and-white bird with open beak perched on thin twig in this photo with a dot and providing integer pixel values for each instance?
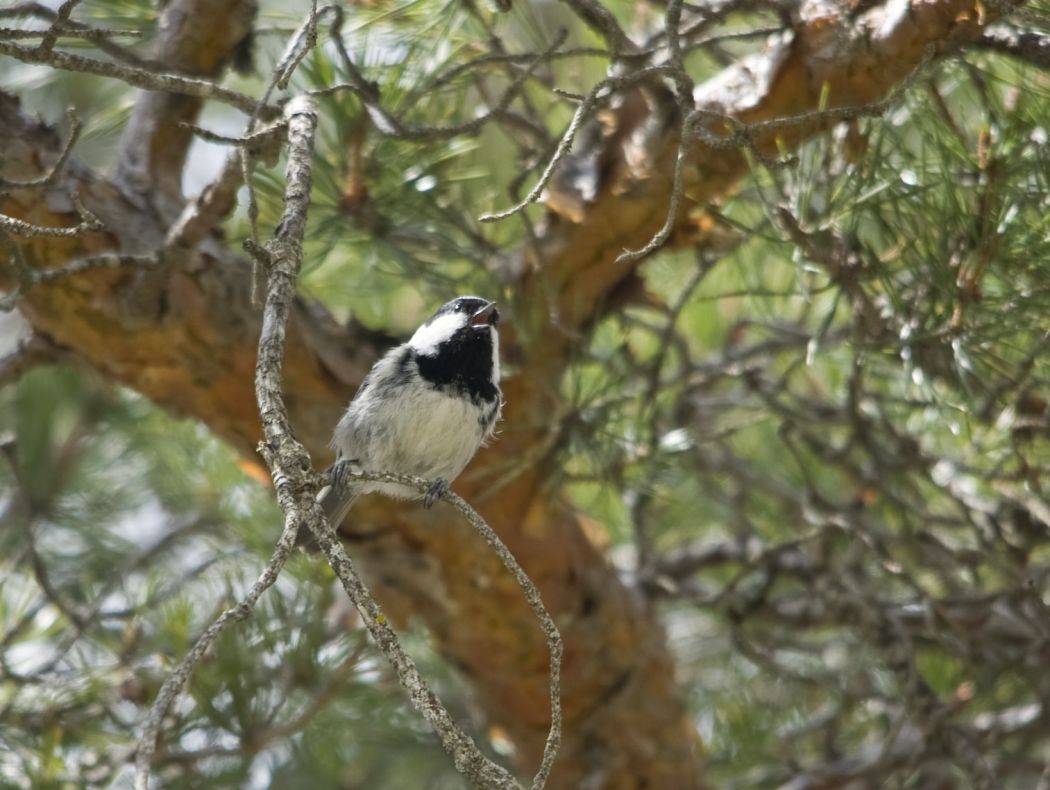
(424, 410)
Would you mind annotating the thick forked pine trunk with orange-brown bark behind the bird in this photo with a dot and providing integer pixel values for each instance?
(187, 340)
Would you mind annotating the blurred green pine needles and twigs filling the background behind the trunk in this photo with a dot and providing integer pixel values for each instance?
(822, 449)
